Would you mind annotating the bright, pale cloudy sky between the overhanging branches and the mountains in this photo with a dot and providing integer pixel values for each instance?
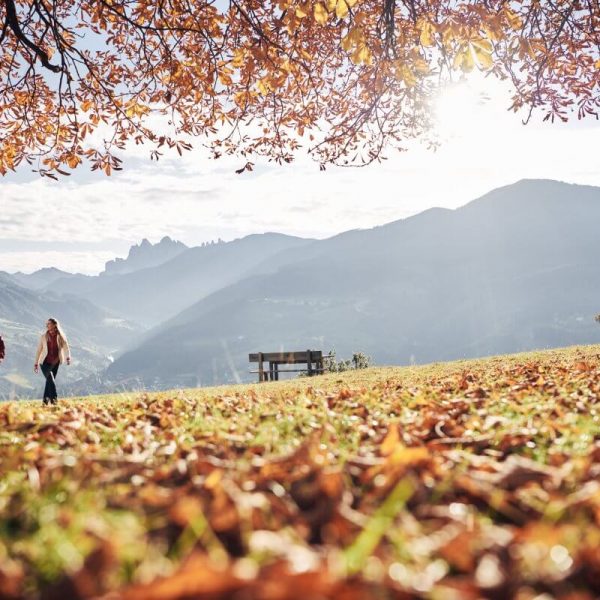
(79, 223)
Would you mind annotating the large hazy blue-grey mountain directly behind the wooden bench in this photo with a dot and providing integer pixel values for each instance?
(515, 270)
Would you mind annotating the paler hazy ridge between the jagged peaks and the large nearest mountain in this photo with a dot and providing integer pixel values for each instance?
(150, 296)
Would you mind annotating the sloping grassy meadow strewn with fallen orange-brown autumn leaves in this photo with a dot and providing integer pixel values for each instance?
(463, 480)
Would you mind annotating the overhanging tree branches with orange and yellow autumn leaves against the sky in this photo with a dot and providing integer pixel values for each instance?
(341, 79)
